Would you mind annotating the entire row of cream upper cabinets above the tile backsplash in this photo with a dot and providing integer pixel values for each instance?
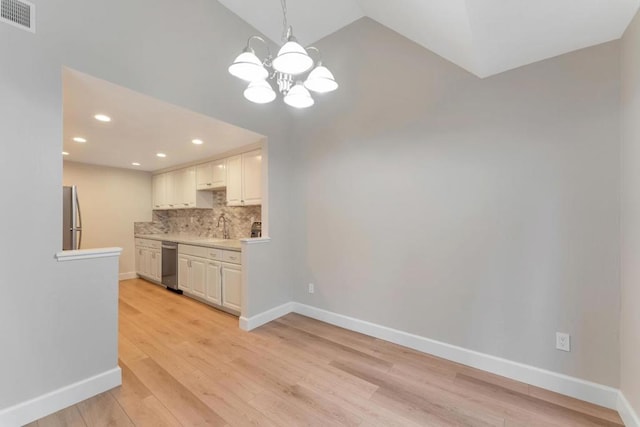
(183, 188)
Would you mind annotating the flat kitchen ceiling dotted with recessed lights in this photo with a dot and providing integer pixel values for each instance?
(141, 126)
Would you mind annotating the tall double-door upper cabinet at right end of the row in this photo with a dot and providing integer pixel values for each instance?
(244, 183)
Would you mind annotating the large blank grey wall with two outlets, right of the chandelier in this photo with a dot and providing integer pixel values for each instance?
(480, 213)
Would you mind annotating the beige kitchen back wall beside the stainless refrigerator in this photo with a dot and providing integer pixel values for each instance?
(112, 199)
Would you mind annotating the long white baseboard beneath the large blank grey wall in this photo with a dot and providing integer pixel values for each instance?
(570, 386)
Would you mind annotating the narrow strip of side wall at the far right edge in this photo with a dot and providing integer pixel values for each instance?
(630, 318)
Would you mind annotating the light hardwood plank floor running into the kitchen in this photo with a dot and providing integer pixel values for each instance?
(187, 364)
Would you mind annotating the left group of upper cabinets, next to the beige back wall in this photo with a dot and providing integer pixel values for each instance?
(177, 190)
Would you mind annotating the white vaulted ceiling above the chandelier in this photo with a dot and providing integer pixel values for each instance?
(485, 37)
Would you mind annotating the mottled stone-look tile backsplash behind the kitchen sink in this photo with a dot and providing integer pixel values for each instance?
(203, 222)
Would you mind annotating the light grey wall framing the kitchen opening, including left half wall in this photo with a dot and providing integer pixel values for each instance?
(177, 54)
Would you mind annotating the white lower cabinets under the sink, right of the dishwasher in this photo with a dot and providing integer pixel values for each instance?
(203, 275)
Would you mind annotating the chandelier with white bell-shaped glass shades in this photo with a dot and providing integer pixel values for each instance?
(287, 70)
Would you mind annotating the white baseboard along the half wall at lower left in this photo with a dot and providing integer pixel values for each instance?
(41, 406)
